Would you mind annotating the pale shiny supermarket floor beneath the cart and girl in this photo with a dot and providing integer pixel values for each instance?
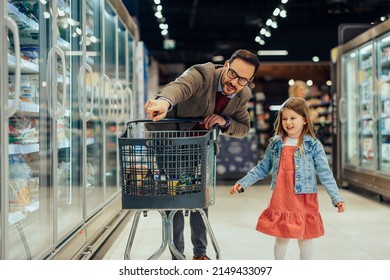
(361, 232)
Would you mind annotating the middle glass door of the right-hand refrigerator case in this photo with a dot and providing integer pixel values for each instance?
(366, 107)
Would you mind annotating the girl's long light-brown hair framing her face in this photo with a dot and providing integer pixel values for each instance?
(298, 105)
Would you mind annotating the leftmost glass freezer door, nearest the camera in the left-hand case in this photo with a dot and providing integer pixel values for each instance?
(29, 204)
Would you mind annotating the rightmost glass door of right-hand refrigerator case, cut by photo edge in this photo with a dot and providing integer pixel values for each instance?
(383, 77)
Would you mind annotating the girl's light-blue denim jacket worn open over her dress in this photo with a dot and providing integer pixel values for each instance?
(307, 165)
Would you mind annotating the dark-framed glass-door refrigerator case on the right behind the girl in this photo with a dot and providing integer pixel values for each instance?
(362, 90)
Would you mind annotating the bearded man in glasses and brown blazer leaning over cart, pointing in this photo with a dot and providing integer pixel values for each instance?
(219, 94)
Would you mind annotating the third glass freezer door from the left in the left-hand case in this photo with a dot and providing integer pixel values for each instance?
(93, 125)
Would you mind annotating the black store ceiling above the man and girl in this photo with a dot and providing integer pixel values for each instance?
(203, 29)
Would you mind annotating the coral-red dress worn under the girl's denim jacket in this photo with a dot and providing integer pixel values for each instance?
(290, 215)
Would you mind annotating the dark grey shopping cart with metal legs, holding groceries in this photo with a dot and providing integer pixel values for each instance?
(168, 171)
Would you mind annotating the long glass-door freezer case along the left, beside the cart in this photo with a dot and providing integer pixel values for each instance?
(61, 92)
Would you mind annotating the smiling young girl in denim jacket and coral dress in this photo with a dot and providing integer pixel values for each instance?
(295, 156)
